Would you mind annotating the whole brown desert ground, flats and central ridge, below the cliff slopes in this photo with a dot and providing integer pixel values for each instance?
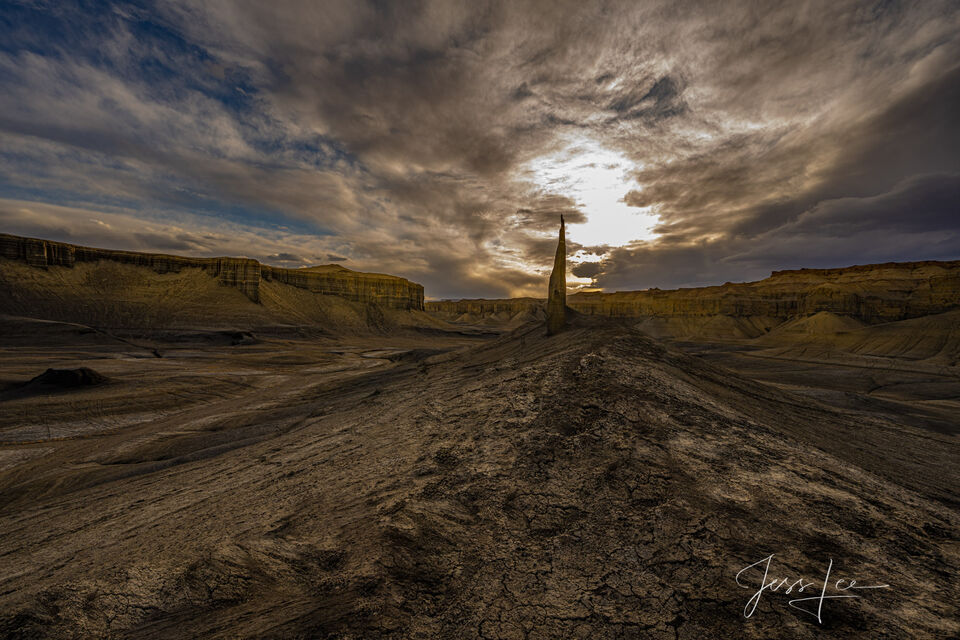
(467, 483)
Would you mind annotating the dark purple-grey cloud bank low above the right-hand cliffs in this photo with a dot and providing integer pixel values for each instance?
(916, 220)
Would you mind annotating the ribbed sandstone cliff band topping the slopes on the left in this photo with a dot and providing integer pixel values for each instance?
(244, 274)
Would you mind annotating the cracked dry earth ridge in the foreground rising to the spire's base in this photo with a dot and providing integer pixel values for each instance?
(592, 485)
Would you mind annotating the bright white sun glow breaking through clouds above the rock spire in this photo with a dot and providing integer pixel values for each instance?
(597, 179)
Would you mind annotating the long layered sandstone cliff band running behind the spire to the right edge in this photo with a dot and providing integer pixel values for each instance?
(873, 293)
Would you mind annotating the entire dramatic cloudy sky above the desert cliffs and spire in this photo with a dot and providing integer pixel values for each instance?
(686, 143)
